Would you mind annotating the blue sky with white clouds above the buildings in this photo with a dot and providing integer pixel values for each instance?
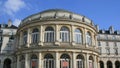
(104, 13)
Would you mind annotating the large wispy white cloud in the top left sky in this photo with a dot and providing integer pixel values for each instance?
(12, 6)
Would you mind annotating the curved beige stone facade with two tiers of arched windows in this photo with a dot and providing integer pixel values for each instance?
(57, 39)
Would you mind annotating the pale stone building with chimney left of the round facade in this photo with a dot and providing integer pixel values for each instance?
(7, 35)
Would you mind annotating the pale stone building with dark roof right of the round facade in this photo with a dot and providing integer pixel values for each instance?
(109, 48)
